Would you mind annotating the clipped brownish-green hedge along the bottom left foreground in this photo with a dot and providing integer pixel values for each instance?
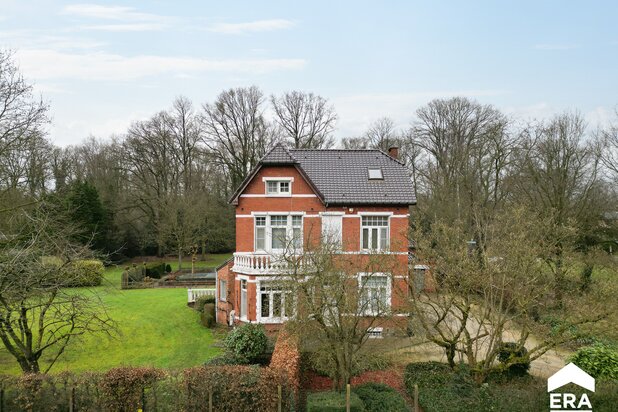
(230, 388)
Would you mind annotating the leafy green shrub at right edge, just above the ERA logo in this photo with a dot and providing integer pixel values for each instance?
(600, 361)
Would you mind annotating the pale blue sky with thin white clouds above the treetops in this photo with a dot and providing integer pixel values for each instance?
(103, 65)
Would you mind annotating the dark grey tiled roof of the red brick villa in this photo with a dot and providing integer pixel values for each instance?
(341, 177)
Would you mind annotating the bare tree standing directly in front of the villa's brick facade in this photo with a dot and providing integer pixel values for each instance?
(339, 299)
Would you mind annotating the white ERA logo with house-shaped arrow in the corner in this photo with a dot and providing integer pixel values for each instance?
(569, 401)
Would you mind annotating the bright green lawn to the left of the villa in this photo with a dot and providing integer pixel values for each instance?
(156, 328)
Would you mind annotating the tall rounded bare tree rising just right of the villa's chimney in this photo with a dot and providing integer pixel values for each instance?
(467, 151)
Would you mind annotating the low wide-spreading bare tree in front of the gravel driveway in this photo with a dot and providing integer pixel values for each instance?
(478, 306)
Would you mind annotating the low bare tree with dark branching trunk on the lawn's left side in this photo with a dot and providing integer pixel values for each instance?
(38, 313)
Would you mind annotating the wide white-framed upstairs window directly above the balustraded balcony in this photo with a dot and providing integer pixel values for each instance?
(278, 232)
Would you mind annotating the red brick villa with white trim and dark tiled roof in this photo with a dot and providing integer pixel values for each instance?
(362, 196)
